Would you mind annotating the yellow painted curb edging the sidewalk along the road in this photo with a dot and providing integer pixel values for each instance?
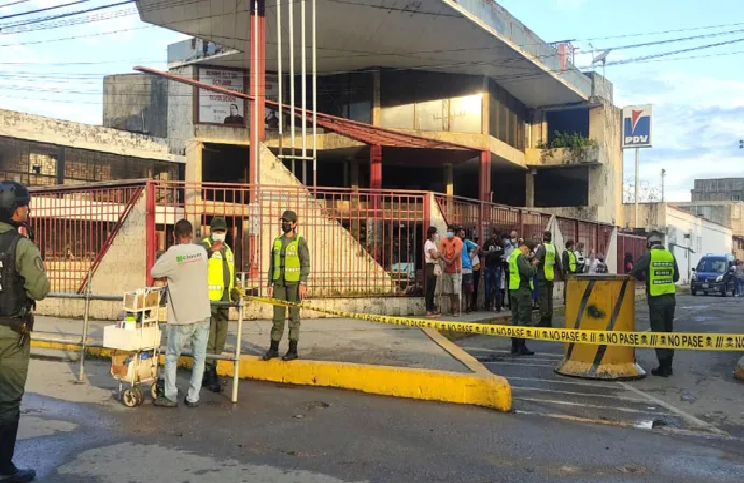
(472, 389)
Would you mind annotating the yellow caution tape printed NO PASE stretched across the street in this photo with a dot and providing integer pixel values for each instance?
(657, 340)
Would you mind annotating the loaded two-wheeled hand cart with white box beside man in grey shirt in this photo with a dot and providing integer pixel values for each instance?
(138, 336)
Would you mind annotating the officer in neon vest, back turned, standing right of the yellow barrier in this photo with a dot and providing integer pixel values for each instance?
(659, 267)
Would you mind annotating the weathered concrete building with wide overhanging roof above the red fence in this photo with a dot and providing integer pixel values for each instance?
(522, 125)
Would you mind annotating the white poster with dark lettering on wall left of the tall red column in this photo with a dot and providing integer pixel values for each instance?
(216, 108)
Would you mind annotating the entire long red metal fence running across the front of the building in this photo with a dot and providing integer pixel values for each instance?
(362, 242)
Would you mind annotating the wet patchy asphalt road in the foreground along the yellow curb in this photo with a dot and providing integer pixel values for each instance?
(296, 434)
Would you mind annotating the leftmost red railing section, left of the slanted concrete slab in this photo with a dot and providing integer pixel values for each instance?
(74, 226)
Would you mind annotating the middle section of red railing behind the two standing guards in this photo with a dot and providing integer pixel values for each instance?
(361, 242)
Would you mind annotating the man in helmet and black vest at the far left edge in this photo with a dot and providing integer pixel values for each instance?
(22, 281)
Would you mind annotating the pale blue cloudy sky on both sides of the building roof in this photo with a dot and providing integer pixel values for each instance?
(698, 103)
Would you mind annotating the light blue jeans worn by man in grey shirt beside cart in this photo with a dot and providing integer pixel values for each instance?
(198, 335)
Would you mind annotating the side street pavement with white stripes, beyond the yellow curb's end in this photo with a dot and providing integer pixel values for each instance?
(701, 397)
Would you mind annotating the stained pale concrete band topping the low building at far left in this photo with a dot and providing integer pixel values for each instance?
(84, 136)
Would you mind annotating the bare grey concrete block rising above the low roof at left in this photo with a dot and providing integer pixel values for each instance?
(136, 103)
